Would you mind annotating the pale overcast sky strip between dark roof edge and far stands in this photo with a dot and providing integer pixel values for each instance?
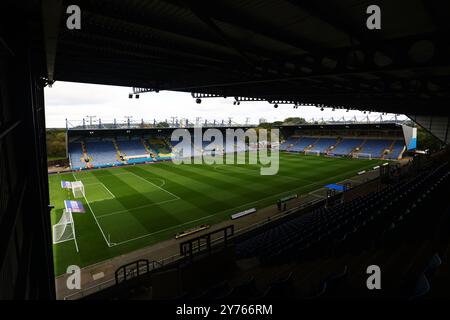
(75, 101)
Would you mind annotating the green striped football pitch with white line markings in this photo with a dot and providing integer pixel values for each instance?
(132, 207)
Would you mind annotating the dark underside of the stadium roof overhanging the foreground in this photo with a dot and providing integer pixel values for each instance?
(317, 52)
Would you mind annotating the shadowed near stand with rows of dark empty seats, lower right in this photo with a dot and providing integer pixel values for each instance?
(392, 227)
